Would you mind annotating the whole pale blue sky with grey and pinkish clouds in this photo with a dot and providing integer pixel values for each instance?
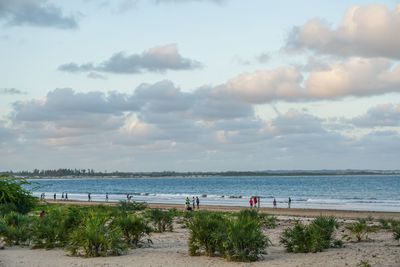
(199, 85)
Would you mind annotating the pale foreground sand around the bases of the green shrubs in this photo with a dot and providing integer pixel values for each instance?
(170, 249)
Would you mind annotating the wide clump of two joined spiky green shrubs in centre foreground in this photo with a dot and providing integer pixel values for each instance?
(236, 238)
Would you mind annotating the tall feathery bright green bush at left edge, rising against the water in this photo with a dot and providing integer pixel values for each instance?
(14, 196)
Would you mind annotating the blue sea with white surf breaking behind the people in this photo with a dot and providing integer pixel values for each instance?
(355, 192)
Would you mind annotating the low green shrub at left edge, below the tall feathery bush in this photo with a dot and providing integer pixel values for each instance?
(15, 228)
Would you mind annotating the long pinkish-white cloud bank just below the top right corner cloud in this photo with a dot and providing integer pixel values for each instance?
(352, 77)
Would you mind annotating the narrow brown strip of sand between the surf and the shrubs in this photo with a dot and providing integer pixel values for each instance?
(295, 212)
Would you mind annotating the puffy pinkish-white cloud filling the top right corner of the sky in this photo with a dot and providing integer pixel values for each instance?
(367, 31)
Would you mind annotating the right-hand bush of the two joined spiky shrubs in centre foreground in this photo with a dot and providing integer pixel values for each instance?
(244, 238)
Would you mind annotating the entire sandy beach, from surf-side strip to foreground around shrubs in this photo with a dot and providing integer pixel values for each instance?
(171, 249)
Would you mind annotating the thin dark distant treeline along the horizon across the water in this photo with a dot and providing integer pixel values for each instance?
(93, 173)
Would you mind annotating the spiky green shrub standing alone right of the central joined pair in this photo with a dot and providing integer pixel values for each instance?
(315, 237)
